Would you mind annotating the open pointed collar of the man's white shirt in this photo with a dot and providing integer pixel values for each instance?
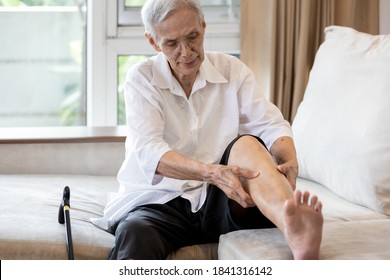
(163, 78)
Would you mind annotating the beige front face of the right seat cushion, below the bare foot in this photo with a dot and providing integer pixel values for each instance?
(352, 240)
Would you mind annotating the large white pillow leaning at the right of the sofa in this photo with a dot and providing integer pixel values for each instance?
(342, 127)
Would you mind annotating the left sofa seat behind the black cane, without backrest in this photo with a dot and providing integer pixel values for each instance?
(29, 227)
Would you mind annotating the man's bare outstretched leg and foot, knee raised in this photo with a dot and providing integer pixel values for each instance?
(296, 216)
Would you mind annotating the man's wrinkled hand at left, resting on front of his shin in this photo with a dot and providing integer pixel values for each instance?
(227, 178)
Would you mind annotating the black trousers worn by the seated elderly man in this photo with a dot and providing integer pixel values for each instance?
(153, 231)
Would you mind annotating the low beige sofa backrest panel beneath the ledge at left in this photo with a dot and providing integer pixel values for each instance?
(100, 158)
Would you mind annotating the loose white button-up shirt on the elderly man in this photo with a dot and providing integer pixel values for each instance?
(225, 102)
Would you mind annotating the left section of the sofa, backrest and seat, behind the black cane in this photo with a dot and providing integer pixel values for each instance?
(35, 166)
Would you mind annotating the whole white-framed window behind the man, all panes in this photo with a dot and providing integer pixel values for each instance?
(63, 62)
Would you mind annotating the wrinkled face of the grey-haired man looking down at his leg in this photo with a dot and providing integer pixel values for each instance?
(180, 37)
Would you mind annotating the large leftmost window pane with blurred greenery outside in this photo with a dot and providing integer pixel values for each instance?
(42, 74)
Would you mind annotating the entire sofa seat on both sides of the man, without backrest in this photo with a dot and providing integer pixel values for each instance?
(29, 227)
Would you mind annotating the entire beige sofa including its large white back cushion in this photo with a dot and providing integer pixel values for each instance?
(341, 131)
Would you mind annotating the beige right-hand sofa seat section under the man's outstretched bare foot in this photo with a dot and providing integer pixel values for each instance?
(350, 231)
